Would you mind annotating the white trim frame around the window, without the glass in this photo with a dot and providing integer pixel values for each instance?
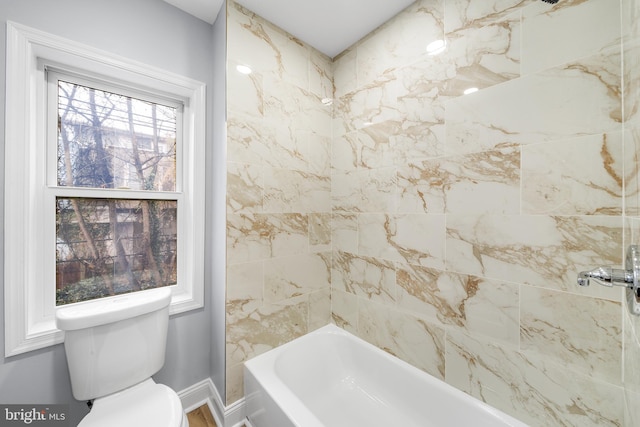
(29, 242)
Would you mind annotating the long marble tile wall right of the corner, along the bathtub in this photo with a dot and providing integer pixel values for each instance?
(460, 221)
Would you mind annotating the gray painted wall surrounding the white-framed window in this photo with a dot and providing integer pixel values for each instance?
(156, 33)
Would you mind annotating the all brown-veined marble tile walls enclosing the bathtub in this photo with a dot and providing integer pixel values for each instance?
(445, 228)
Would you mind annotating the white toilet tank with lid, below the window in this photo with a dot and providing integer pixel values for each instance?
(115, 342)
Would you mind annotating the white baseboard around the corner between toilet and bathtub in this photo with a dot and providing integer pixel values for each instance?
(205, 392)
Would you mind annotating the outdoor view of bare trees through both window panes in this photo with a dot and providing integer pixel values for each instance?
(109, 245)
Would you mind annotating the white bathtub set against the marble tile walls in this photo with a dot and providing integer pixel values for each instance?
(332, 378)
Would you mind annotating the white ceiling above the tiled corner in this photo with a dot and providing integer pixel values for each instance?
(330, 26)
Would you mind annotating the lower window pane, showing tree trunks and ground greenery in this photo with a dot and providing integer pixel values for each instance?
(112, 246)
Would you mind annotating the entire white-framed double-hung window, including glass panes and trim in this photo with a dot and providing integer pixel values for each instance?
(104, 182)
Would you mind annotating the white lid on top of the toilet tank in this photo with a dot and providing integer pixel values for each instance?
(111, 309)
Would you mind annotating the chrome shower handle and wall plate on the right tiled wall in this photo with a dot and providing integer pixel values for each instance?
(628, 278)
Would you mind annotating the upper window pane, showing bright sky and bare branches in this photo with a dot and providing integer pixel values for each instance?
(107, 140)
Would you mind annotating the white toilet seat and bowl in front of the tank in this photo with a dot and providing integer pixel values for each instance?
(146, 403)
